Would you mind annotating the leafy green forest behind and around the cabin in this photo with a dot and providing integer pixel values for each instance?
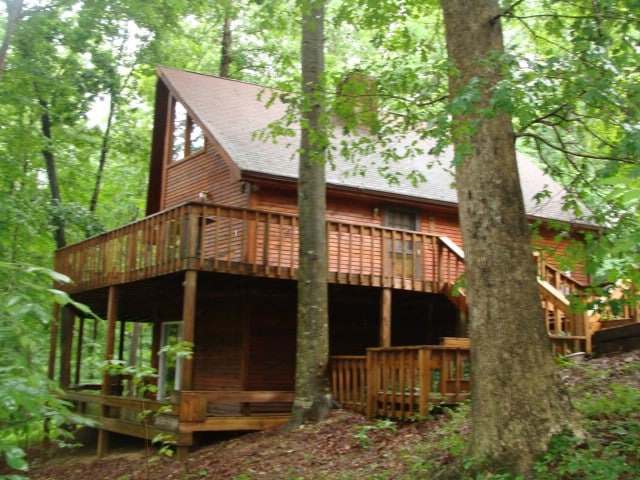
(77, 84)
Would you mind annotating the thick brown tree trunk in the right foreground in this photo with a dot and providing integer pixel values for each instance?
(518, 401)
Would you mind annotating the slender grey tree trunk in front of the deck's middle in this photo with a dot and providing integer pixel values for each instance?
(313, 399)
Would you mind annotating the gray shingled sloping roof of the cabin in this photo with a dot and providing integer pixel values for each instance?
(231, 112)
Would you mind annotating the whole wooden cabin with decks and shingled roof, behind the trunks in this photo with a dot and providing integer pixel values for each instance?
(213, 263)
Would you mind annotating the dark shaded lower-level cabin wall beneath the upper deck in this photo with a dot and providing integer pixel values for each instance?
(245, 332)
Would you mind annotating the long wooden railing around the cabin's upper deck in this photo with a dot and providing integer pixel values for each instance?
(254, 242)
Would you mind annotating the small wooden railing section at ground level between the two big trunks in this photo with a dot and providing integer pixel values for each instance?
(402, 382)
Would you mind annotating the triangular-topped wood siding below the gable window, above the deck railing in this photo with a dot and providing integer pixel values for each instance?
(206, 172)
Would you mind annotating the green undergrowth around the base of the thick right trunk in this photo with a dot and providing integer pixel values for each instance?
(610, 409)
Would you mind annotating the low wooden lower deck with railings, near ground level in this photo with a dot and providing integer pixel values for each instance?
(396, 382)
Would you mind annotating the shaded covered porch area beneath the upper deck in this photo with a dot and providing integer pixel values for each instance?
(240, 374)
